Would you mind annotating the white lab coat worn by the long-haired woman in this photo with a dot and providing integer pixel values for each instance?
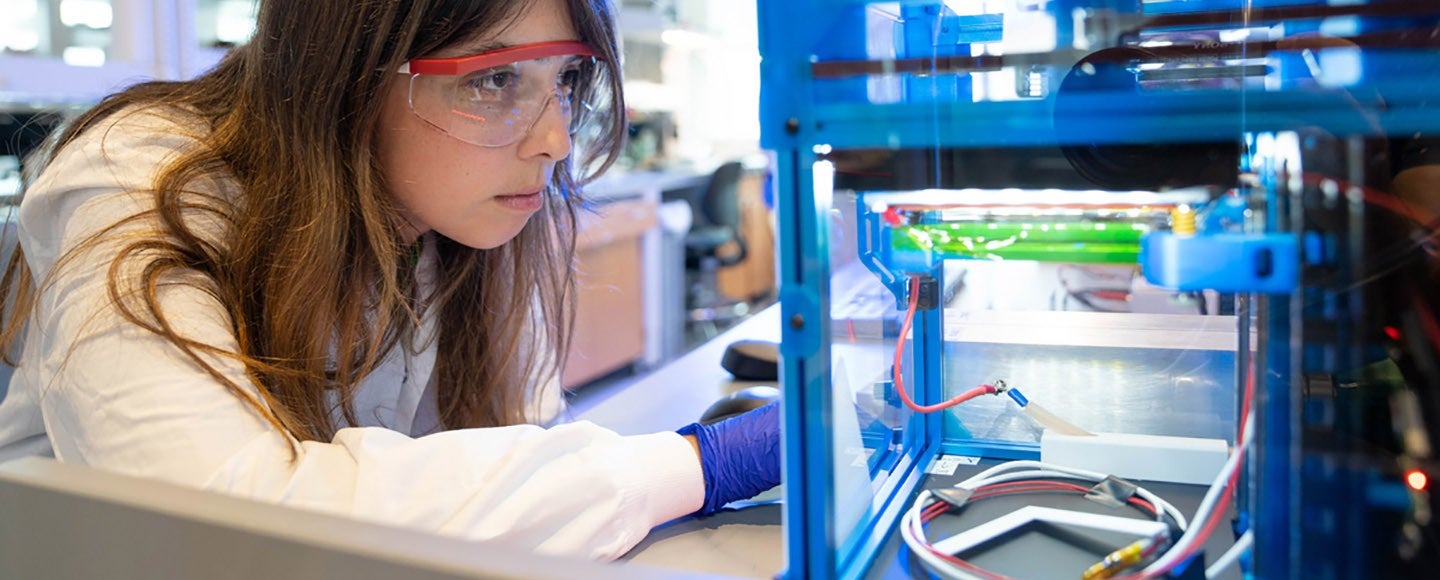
(94, 389)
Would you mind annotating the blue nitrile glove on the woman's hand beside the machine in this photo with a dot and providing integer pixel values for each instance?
(739, 457)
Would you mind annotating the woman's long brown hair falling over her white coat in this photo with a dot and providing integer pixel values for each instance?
(312, 266)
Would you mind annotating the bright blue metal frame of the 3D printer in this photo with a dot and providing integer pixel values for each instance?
(798, 114)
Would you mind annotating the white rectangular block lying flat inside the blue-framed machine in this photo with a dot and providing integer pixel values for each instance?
(1138, 457)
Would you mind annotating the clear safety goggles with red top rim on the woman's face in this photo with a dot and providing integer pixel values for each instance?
(495, 99)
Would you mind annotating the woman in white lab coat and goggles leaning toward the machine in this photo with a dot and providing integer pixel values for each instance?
(333, 274)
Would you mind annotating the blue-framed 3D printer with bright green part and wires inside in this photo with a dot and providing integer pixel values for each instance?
(1140, 241)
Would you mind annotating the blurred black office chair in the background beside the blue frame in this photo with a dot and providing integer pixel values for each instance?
(715, 243)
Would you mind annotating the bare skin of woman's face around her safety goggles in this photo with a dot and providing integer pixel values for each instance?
(479, 196)
